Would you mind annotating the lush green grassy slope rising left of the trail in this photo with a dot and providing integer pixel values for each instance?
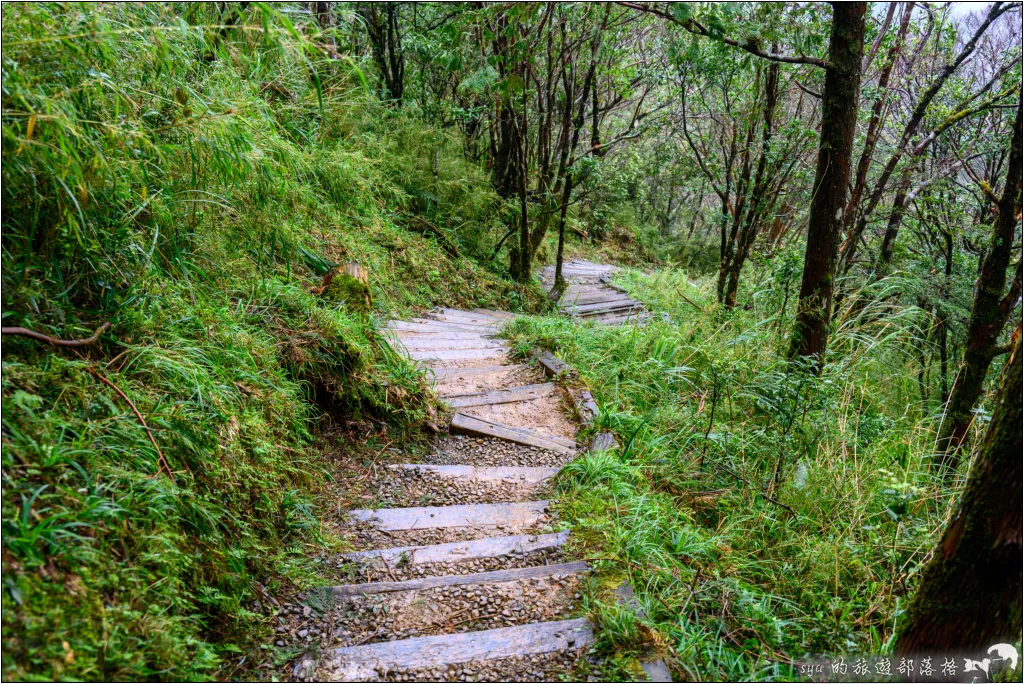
(193, 206)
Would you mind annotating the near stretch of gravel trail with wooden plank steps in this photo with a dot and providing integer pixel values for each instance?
(462, 576)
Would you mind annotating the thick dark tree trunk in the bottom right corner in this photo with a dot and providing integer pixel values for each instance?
(970, 594)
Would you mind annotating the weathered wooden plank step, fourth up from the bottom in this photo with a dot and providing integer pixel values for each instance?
(467, 516)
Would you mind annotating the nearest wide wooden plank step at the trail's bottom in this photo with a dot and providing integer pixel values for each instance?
(366, 662)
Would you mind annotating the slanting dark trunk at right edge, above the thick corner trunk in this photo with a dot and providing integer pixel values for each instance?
(993, 307)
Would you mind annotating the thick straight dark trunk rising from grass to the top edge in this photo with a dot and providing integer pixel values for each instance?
(839, 125)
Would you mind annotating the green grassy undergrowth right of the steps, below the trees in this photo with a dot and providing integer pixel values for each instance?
(760, 515)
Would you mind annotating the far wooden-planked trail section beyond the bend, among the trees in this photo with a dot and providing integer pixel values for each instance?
(590, 294)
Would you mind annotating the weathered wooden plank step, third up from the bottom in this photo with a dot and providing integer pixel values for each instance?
(491, 547)
